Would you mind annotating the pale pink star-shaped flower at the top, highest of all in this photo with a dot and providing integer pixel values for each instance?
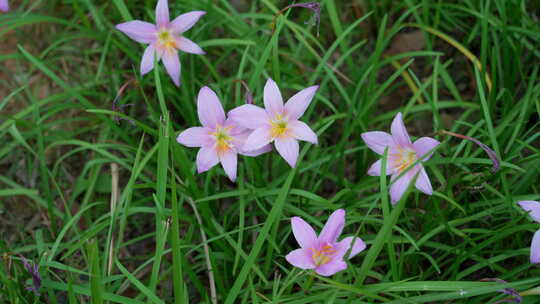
(164, 38)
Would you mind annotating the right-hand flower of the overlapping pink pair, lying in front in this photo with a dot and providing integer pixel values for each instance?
(277, 123)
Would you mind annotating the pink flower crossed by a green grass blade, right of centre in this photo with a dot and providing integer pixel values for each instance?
(402, 153)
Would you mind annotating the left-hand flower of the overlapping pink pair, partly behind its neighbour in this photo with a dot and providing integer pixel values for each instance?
(219, 138)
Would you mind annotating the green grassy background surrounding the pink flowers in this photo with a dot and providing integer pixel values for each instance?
(113, 211)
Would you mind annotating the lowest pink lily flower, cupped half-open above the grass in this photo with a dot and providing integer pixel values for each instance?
(324, 253)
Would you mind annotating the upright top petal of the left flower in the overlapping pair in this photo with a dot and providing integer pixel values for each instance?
(209, 108)
